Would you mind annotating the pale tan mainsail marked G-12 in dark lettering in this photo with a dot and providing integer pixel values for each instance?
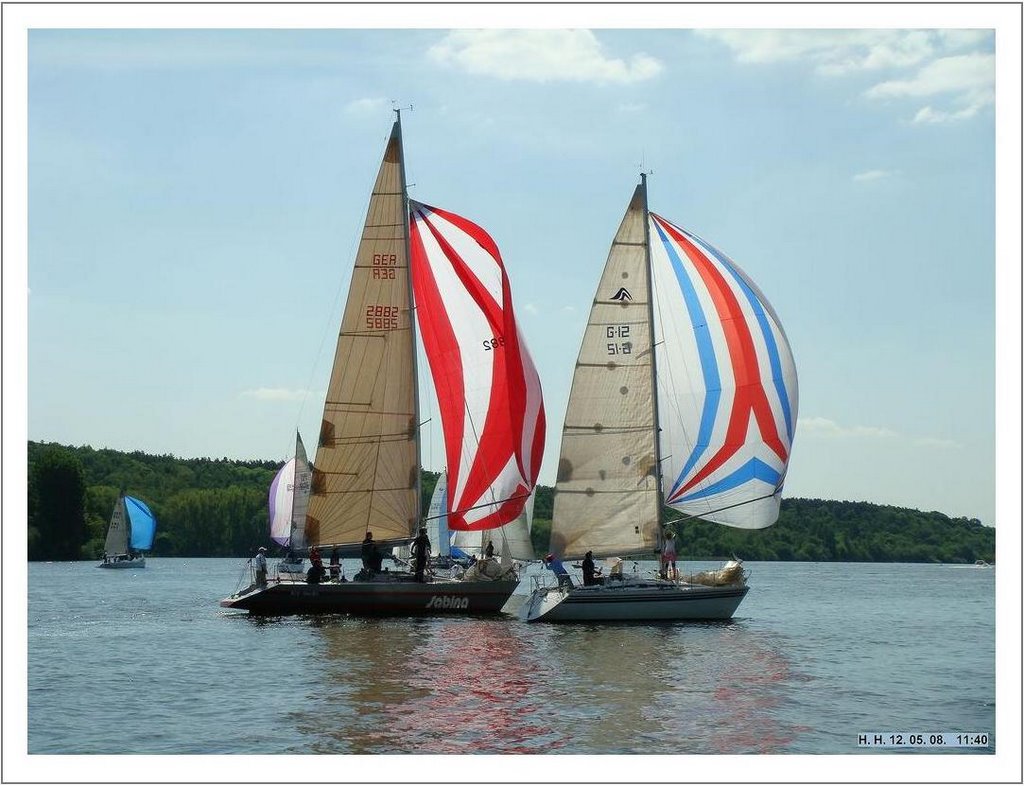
(607, 495)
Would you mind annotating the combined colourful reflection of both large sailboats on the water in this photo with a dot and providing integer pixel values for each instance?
(500, 686)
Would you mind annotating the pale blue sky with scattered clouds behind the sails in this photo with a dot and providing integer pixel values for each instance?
(195, 199)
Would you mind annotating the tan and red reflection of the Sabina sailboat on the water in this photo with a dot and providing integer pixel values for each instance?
(453, 686)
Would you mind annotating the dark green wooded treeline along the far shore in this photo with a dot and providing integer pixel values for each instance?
(219, 508)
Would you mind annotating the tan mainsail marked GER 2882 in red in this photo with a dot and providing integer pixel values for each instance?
(367, 469)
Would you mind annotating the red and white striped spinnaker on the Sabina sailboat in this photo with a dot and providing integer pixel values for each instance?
(488, 389)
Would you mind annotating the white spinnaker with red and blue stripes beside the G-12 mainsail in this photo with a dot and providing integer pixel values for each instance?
(728, 384)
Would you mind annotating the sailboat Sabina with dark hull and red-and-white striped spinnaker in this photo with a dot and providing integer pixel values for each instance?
(366, 476)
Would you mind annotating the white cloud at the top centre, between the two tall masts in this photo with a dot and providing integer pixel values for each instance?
(540, 56)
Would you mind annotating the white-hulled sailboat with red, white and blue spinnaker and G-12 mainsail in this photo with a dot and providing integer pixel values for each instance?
(686, 390)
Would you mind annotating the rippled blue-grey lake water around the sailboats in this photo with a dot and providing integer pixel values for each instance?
(818, 654)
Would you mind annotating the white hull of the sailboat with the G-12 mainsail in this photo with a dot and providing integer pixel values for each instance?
(630, 602)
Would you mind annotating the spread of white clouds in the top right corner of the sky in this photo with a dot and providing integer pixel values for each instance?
(956, 66)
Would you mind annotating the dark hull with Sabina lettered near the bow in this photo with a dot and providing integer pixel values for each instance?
(388, 598)
